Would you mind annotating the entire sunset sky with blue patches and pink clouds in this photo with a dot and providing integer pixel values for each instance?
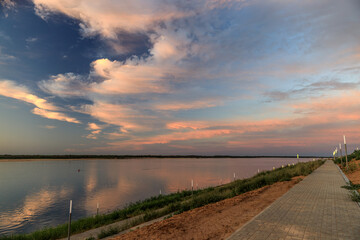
(209, 77)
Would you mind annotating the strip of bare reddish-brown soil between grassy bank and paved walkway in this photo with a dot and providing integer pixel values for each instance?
(213, 221)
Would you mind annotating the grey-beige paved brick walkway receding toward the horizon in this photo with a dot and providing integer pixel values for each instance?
(315, 208)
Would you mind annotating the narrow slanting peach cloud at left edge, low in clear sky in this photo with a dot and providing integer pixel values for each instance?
(43, 107)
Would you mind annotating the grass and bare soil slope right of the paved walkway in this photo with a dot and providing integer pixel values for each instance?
(354, 168)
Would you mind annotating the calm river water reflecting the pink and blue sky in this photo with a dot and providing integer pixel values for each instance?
(36, 194)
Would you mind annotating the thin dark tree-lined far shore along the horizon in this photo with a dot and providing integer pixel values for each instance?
(9, 158)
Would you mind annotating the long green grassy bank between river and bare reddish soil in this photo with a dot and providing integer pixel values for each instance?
(173, 203)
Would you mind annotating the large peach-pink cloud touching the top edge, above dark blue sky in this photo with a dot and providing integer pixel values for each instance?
(103, 17)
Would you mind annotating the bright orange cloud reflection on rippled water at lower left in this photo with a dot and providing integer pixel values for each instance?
(34, 205)
